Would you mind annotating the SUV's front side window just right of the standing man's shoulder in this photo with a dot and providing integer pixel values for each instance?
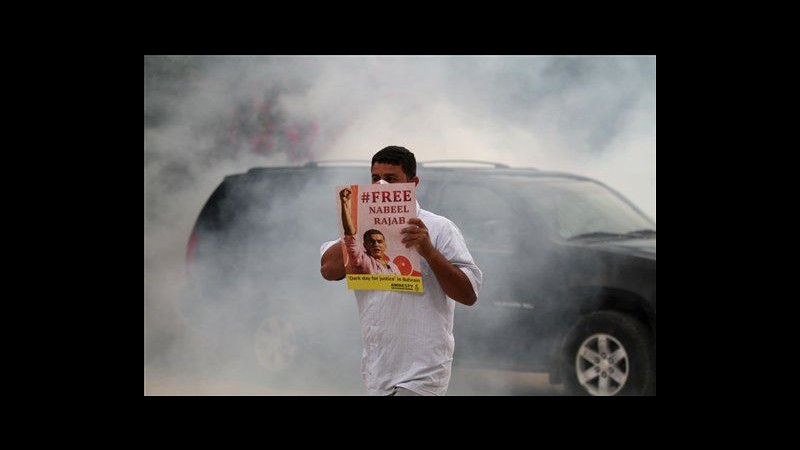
(485, 217)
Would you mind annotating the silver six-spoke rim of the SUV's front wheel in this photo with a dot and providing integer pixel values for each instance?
(602, 365)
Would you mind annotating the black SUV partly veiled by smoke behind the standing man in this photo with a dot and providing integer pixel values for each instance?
(569, 273)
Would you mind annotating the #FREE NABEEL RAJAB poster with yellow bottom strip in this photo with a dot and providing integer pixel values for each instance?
(370, 219)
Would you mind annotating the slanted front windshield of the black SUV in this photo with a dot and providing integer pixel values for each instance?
(577, 209)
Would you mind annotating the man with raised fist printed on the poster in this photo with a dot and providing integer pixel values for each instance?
(371, 259)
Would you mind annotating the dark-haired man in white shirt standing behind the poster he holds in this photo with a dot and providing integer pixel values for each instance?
(408, 337)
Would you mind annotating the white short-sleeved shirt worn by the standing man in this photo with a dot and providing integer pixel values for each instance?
(408, 337)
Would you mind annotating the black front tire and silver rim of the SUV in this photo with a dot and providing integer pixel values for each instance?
(609, 353)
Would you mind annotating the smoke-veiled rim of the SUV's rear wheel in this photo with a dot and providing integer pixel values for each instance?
(275, 344)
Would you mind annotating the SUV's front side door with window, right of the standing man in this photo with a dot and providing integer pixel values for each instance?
(492, 331)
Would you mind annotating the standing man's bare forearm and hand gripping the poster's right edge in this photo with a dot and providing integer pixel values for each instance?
(454, 282)
